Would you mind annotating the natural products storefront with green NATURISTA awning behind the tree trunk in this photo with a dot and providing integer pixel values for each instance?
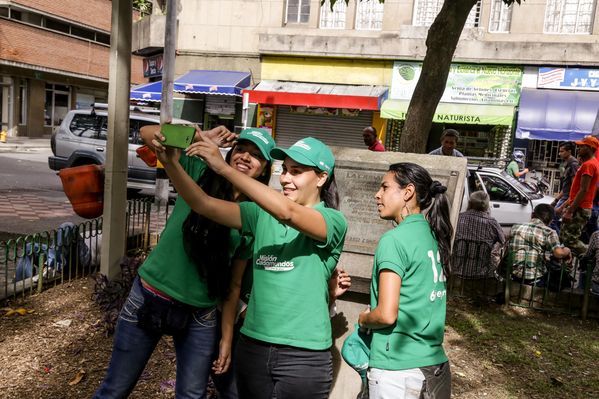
(479, 101)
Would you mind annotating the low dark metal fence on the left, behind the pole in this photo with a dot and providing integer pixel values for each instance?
(33, 262)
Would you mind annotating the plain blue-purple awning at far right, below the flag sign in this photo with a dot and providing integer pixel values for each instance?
(556, 114)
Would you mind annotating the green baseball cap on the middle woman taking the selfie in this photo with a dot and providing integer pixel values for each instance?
(310, 152)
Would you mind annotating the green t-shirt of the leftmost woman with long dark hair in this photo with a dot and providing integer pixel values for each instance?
(168, 268)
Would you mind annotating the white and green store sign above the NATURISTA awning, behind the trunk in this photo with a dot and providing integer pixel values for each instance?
(466, 83)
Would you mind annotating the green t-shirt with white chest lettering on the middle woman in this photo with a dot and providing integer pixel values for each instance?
(289, 300)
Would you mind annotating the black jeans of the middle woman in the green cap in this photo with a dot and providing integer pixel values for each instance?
(266, 371)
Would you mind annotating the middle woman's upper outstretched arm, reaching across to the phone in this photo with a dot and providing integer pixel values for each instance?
(302, 218)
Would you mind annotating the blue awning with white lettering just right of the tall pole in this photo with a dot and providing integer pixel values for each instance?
(228, 83)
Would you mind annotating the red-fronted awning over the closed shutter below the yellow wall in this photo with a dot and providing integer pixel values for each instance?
(277, 92)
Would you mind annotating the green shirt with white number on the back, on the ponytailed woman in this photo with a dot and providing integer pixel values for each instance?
(416, 339)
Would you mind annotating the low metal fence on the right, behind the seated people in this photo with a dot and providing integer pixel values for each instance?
(559, 287)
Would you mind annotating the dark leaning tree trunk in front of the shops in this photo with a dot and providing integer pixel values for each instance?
(441, 42)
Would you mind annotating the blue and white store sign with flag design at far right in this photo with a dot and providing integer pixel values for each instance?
(568, 78)
